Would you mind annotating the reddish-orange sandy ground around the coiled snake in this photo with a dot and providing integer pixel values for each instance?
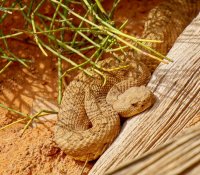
(34, 152)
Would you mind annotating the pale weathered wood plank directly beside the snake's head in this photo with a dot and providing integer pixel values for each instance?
(177, 88)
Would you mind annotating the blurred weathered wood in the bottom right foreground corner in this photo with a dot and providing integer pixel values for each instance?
(180, 155)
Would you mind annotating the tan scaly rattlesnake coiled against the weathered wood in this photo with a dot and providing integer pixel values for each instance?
(87, 122)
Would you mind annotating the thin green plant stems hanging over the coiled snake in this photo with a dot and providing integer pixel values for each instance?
(93, 33)
